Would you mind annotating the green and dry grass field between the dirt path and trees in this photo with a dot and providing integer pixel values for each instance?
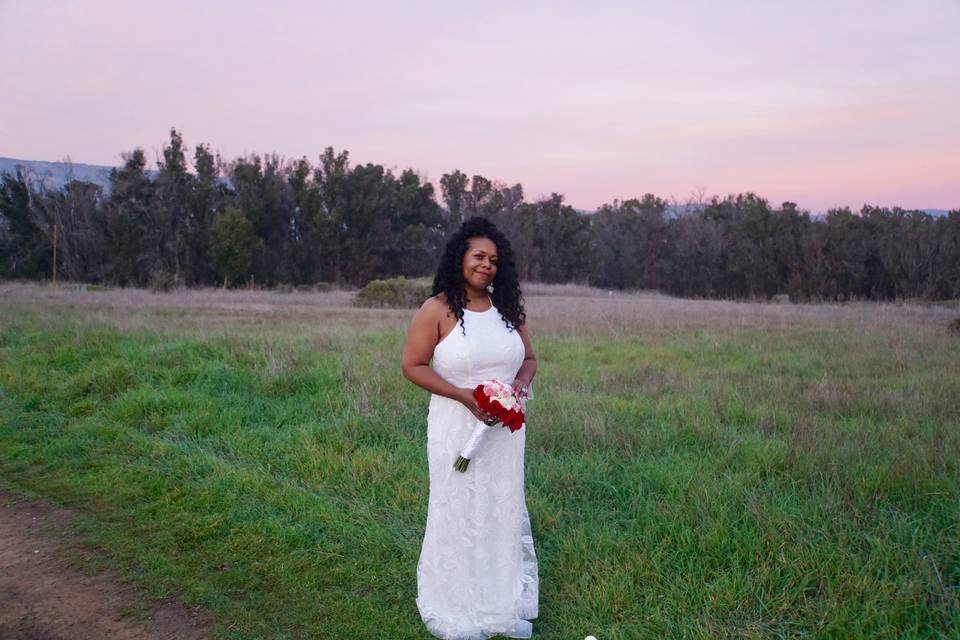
(694, 469)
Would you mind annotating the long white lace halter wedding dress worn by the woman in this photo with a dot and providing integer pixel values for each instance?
(477, 575)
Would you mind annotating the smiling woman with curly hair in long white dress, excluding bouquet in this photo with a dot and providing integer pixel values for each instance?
(477, 575)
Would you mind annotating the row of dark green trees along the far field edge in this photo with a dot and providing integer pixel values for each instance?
(270, 221)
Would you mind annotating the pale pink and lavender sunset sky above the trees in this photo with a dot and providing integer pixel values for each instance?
(820, 103)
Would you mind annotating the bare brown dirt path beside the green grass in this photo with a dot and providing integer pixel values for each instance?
(43, 598)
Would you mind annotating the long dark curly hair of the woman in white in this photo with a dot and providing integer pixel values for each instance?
(506, 294)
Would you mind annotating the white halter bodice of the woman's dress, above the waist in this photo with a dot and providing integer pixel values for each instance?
(488, 350)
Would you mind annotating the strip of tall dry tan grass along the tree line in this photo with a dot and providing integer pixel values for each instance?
(566, 309)
